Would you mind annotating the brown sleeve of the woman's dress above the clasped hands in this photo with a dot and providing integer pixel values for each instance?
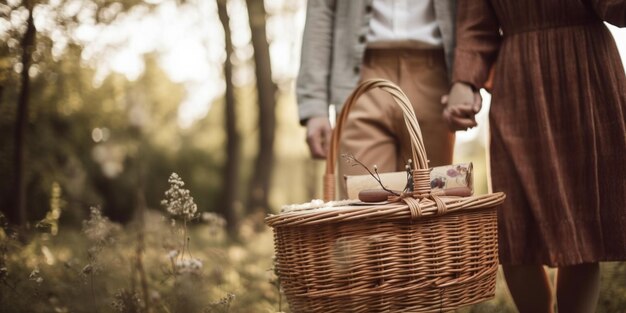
(478, 42)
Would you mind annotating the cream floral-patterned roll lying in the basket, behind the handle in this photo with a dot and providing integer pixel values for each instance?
(447, 180)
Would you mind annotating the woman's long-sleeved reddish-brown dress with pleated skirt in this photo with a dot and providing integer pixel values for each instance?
(558, 124)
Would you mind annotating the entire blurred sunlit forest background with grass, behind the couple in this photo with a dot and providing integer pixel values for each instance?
(101, 101)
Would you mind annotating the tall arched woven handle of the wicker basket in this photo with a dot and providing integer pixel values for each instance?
(421, 175)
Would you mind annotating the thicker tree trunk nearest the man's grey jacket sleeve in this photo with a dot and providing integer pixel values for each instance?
(258, 190)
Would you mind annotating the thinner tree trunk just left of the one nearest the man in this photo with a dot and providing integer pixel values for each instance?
(231, 167)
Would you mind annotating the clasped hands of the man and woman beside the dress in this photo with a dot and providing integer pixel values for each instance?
(462, 104)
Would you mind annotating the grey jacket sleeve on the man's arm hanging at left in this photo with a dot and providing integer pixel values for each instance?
(313, 77)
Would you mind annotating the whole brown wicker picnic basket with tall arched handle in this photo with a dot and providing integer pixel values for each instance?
(418, 252)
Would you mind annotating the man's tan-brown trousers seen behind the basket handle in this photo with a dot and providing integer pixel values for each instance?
(375, 132)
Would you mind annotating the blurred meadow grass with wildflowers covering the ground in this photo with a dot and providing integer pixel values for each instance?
(95, 270)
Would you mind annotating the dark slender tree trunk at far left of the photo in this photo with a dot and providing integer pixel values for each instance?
(19, 214)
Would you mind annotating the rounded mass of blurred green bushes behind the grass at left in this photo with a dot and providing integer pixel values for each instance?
(139, 119)
